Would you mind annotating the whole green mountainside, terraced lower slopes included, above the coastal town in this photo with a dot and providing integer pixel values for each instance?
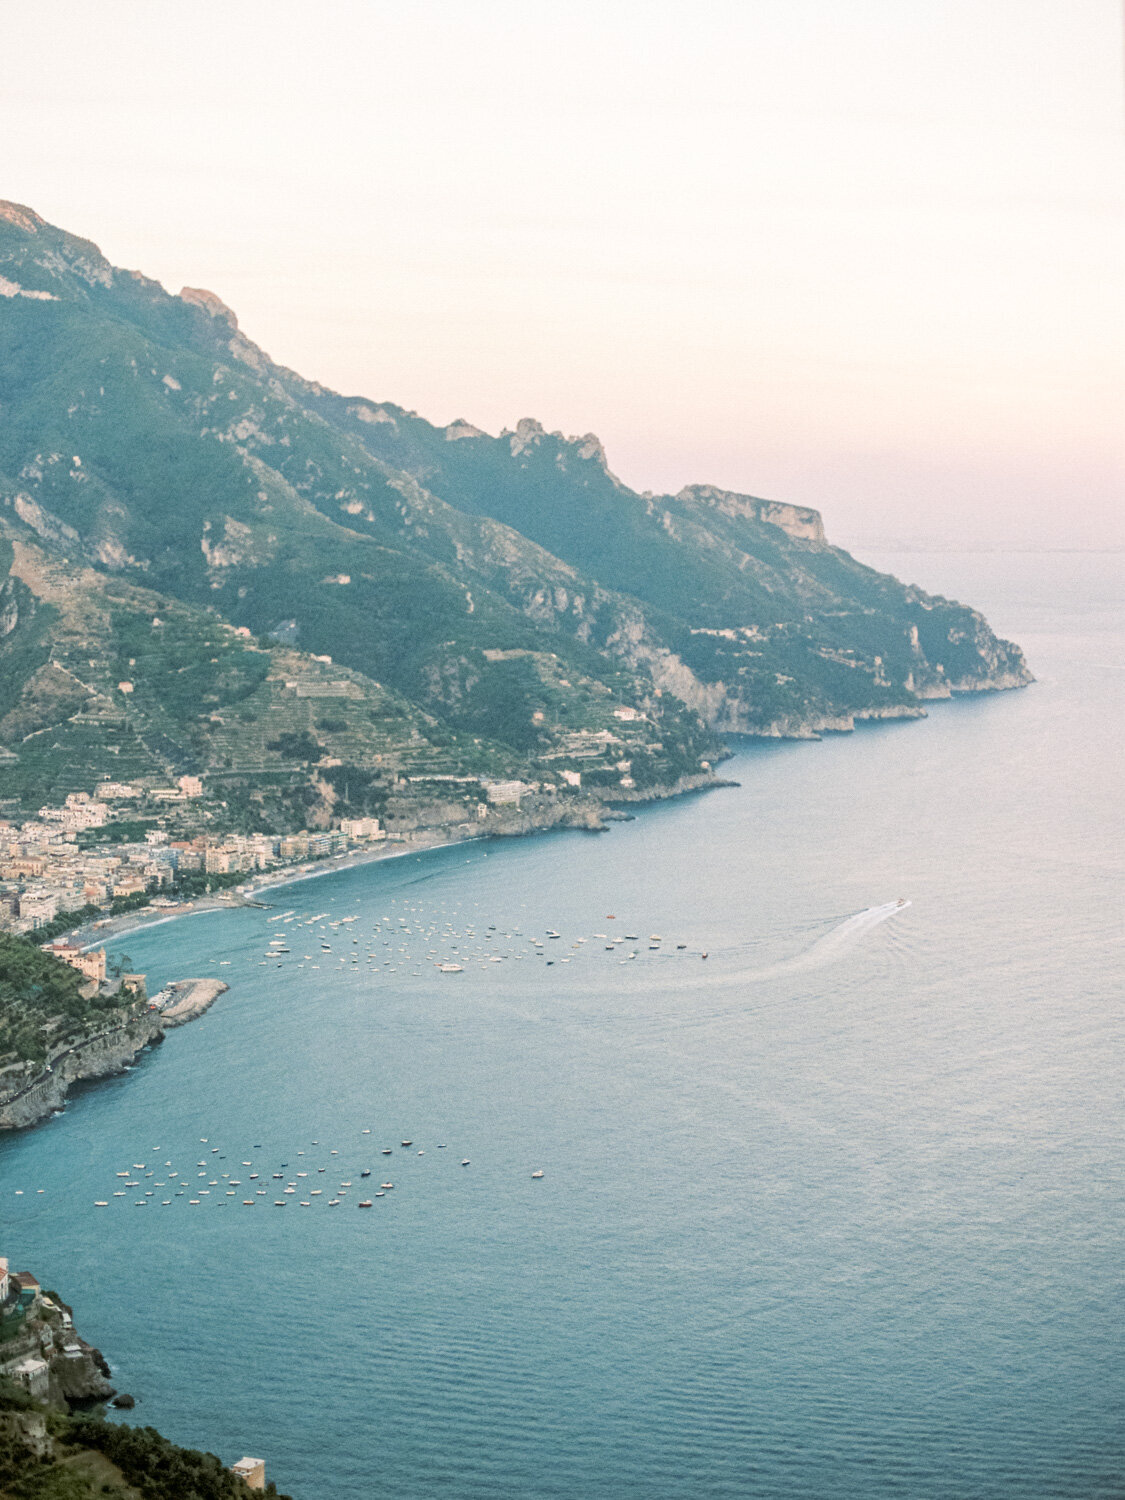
(479, 598)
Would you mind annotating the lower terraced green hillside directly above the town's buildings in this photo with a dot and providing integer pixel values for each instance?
(107, 679)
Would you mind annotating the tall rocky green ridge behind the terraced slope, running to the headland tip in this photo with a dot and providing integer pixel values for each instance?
(479, 578)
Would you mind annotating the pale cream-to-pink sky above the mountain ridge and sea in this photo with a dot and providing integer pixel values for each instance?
(865, 256)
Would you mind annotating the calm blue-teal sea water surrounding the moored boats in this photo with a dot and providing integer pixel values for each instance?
(836, 1211)
